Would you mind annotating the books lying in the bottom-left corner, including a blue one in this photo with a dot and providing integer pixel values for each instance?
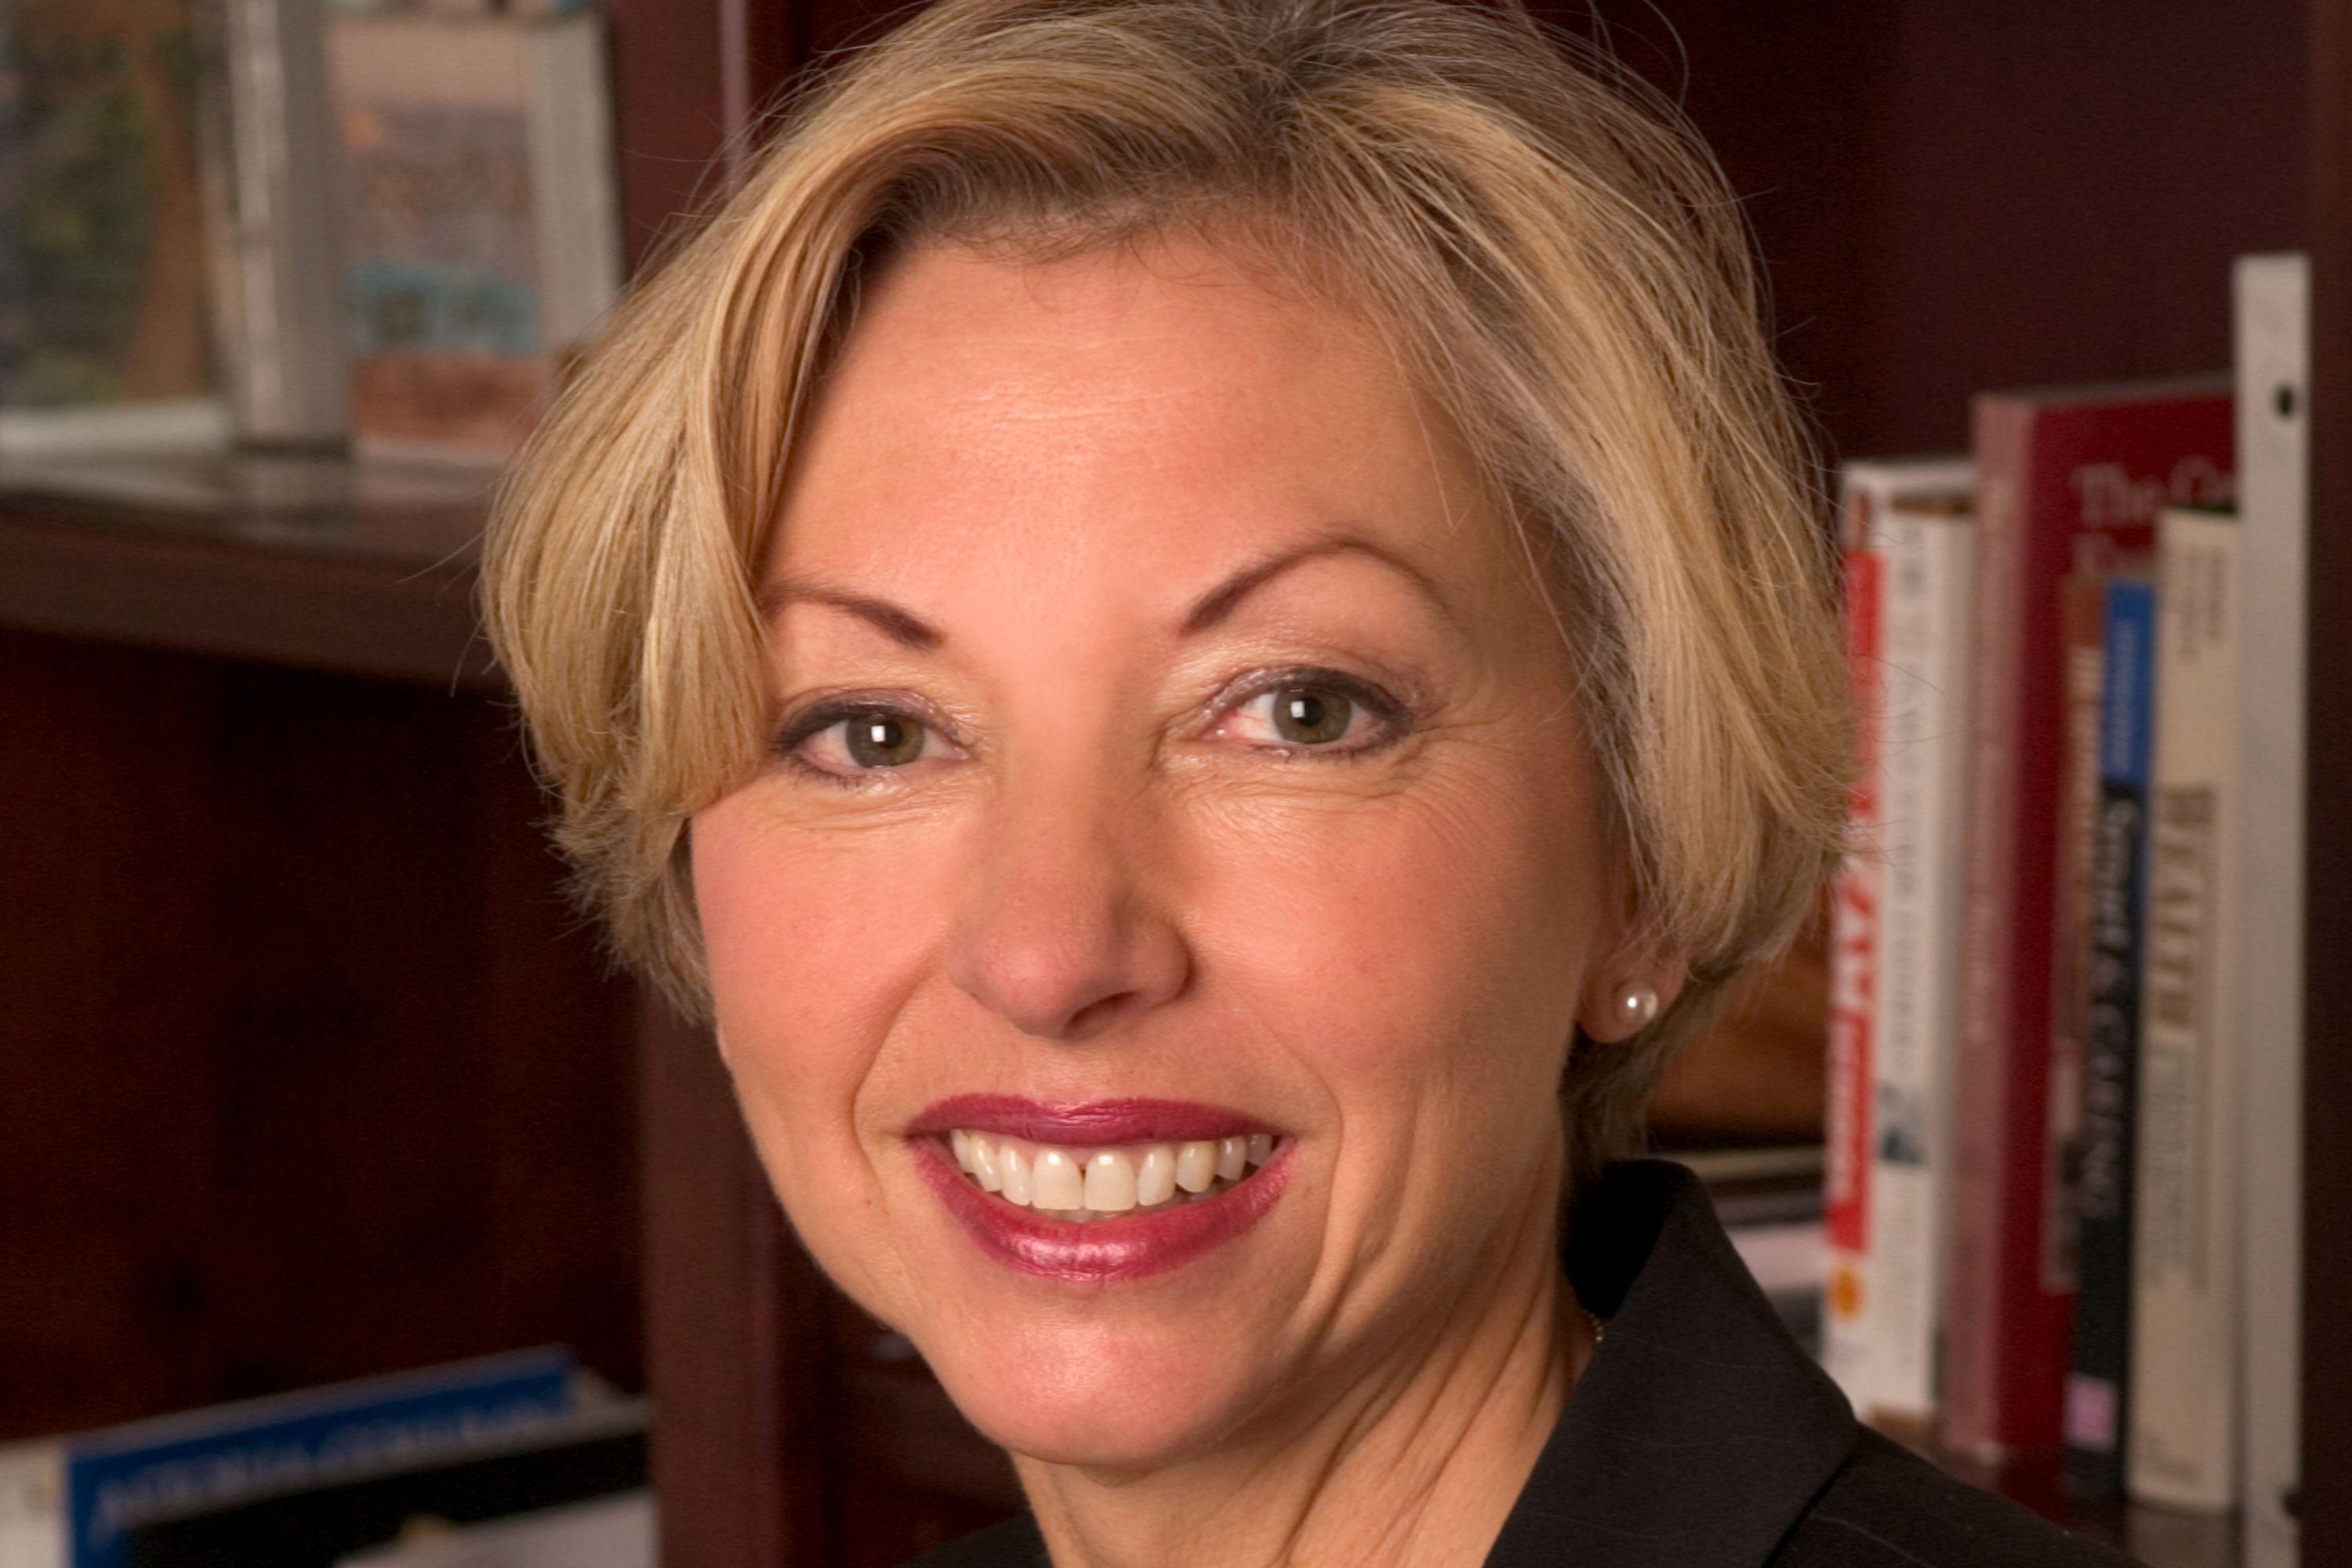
(516, 1461)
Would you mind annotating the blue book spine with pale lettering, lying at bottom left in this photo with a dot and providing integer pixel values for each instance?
(123, 1477)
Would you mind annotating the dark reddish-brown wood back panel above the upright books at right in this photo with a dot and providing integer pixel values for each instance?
(1998, 194)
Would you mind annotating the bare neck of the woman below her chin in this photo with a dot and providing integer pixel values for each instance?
(1415, 1463)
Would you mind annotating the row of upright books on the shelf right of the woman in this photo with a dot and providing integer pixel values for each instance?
(2066, 1052)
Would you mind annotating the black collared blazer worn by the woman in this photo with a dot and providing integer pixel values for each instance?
(1702, 1435)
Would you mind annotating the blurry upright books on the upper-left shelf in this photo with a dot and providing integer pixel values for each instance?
(274, 227)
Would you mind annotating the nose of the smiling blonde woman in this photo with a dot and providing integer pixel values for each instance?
(1064, 930)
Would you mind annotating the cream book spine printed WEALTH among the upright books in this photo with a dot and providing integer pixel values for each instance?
(2186, 1228)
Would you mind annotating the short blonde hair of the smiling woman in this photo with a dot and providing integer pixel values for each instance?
(1542, 236)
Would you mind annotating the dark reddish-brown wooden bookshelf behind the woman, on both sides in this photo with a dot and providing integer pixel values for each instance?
(286, 1132)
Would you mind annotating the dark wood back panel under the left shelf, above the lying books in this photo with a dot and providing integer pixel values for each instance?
(309, 1073)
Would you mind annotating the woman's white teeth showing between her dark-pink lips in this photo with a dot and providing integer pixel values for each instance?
(1107, 1181)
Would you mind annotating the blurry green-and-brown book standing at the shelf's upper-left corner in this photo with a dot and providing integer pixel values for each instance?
(105, 330)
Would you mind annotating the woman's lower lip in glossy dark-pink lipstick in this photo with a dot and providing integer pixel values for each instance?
(1100, 1249)
